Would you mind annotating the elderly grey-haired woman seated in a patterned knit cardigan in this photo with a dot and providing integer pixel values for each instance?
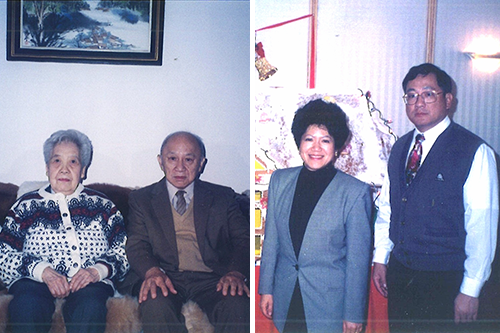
(62, 241)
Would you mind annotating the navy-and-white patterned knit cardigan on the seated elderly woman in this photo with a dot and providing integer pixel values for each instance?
(81, 230)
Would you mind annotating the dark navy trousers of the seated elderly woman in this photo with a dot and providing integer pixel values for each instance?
(32, 307)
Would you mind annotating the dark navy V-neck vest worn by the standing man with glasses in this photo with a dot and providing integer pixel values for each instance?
(427, 217)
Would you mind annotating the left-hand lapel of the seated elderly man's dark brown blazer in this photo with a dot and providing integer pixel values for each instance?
(163, 211)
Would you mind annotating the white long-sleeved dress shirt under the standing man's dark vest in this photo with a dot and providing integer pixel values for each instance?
(480, 193)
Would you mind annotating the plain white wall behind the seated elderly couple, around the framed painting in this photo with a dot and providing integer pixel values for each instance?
(203, 87)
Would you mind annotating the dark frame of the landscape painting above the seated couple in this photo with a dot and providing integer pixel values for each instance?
(40, 54)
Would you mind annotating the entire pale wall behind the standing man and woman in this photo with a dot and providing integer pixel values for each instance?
(372, 44)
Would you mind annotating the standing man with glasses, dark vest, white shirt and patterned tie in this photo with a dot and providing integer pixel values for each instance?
(438, 214)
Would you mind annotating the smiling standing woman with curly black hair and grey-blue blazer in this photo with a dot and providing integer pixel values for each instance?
(316, 255)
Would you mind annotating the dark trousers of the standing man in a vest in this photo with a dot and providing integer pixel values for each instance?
(422, 301)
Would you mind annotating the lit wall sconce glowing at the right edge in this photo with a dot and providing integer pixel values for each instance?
(484, 53)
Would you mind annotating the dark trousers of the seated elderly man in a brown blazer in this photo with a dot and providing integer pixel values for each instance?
(229, 314)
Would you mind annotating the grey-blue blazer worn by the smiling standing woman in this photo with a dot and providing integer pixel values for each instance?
(334, 260)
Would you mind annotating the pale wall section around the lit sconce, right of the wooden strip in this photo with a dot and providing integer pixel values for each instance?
(478, 93)
